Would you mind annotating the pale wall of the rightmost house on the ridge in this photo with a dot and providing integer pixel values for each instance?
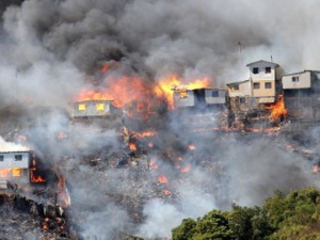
(304, 81)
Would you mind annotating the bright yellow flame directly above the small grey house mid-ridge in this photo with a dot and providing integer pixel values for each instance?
(167, 86)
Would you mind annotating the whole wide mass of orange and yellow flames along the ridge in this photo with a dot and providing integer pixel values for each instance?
(126, 89)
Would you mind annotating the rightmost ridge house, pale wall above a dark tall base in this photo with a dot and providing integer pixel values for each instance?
(302, 96)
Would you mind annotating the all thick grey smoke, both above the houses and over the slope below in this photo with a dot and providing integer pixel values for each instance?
(50, 47)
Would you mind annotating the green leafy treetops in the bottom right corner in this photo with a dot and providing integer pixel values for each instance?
(292, 216)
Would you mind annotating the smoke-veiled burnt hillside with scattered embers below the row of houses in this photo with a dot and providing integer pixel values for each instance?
(124, 182)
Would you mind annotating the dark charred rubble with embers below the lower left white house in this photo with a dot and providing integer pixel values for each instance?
(23, 219)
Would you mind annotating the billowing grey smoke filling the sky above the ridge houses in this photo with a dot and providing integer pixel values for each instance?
(188, 38)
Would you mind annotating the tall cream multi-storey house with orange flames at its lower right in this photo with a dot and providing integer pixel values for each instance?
(255, 96)
